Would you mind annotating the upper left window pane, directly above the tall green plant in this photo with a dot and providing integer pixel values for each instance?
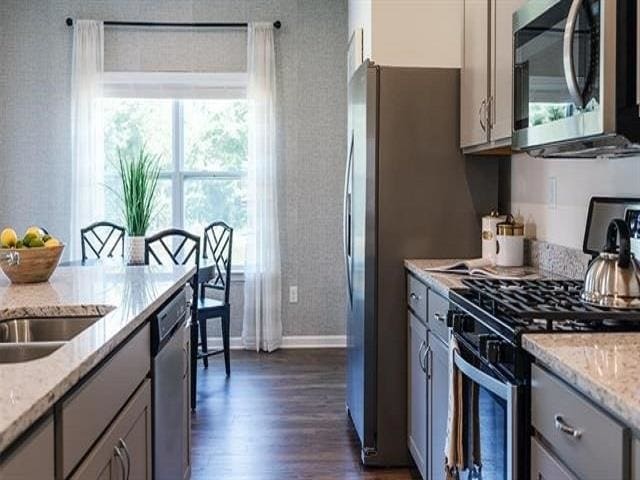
(130, 123)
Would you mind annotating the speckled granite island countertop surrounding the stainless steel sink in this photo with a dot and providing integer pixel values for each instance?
(126, 296)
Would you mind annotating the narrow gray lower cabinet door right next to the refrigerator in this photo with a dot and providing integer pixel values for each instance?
(417, 395)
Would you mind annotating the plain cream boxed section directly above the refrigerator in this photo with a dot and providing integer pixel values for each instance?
(409, 33)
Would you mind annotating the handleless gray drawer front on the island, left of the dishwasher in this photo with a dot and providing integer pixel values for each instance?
(91, 408)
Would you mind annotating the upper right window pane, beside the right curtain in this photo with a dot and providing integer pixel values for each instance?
(215, 135)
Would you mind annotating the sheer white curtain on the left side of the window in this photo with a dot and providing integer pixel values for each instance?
(87, 156)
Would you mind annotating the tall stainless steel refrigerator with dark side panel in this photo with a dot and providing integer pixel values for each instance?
(409, 193)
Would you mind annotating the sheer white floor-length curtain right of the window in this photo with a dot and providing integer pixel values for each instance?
(262, 325)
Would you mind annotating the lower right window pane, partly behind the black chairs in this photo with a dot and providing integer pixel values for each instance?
(208, 200)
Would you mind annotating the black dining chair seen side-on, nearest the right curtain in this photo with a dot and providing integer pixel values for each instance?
(218, 243)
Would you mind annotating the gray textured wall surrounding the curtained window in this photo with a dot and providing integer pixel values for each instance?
(35, 54)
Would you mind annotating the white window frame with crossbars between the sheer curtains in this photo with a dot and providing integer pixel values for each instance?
(179, 87)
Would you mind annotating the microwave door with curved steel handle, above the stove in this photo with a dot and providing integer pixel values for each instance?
(557, 72)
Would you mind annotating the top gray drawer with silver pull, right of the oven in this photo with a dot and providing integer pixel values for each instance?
(597, 449)
